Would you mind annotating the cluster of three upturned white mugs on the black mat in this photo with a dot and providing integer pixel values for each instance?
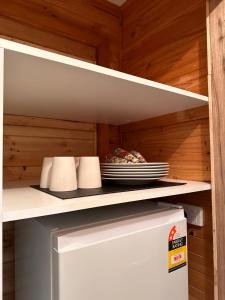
(64, 174)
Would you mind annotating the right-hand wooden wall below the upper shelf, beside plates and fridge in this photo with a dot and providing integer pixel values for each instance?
(182, 139)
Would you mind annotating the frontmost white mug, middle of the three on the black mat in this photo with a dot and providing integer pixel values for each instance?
(63, 175)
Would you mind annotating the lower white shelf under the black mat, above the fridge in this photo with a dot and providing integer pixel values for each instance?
(23, 203)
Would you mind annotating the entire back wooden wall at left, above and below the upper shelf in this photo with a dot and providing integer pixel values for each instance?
(90, 30)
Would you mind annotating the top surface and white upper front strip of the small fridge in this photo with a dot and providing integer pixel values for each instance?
(102, 227)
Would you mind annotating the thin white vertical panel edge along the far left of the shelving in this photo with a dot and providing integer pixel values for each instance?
(1, 162)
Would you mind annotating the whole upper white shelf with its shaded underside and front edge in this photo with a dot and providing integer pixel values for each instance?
(46, 84)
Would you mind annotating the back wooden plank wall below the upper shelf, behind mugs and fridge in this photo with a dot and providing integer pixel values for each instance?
(26, 141)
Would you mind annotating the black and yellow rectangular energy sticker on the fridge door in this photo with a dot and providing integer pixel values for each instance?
(177, 254)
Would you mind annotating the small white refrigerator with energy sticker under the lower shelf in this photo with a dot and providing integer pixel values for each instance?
(125, 252)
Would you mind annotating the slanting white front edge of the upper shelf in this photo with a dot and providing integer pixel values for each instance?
(18, 47)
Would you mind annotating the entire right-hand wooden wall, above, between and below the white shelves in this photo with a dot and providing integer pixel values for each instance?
(165, 41)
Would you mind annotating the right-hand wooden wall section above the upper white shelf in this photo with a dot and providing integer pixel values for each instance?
(166, 43)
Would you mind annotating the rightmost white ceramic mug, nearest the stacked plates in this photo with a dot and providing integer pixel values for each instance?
(89, 173)
